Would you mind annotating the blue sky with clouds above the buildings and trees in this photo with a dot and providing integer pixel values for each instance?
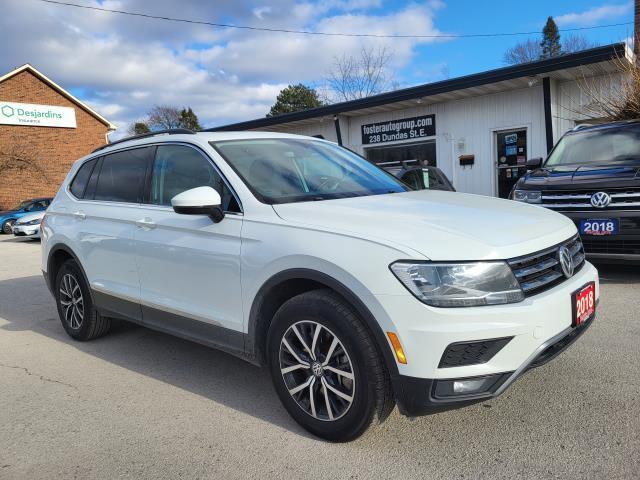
(122, 65)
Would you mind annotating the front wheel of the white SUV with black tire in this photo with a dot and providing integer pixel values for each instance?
(370, 388)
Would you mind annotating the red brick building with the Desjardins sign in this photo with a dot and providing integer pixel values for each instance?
(43, 130)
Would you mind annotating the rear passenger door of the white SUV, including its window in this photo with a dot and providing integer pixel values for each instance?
(105, 212)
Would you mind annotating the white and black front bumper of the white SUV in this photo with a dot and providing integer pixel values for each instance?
(427, 334)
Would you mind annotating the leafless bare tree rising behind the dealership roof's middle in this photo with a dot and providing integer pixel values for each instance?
(359, 76)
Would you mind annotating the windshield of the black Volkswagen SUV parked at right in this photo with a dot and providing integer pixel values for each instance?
(597, 147)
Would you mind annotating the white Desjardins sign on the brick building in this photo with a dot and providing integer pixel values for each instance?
(36, 115)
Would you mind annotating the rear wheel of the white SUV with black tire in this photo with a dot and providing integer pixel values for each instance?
(90, 324)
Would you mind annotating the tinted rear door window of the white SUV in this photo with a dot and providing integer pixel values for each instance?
(122, 176)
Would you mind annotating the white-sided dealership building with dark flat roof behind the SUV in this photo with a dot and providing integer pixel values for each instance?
(479, 129)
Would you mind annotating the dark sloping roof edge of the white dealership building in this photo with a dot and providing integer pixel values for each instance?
(515, 76)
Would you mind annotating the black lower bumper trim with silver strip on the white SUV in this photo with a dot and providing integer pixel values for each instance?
(418, 396)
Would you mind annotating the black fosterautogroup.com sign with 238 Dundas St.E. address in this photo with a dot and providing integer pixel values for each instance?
(403, 129)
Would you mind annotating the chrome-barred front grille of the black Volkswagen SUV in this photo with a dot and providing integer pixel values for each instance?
(621, 198)
